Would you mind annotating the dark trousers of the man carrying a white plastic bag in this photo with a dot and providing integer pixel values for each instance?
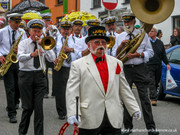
(154, 74)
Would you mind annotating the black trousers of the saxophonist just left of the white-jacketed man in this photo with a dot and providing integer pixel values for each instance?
(60, 82)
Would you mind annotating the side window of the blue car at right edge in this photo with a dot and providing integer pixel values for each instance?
(174, 56)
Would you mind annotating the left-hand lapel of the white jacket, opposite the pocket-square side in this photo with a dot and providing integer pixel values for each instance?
(94, 72)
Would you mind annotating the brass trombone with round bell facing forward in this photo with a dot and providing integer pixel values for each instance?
(47, 43)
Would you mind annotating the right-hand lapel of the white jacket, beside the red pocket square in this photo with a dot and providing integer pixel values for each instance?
(111, 70)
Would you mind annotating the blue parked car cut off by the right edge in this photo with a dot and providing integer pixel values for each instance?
(173, 55)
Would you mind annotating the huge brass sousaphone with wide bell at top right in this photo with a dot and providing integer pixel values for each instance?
(149, 12)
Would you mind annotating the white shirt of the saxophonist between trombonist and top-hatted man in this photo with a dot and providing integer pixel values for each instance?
(71, 44)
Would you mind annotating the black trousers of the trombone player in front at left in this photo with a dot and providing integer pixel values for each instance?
(32, 86)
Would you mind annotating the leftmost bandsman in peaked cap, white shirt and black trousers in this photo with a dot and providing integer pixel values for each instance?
(8, 36)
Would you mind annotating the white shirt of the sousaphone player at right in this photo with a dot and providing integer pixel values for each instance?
(145, 48)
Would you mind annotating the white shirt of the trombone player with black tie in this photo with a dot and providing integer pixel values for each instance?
(26, 62)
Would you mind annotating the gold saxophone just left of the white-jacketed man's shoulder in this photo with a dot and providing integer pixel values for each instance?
(62, 56)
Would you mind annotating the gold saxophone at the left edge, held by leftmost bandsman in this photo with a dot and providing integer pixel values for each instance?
(10, 58)
